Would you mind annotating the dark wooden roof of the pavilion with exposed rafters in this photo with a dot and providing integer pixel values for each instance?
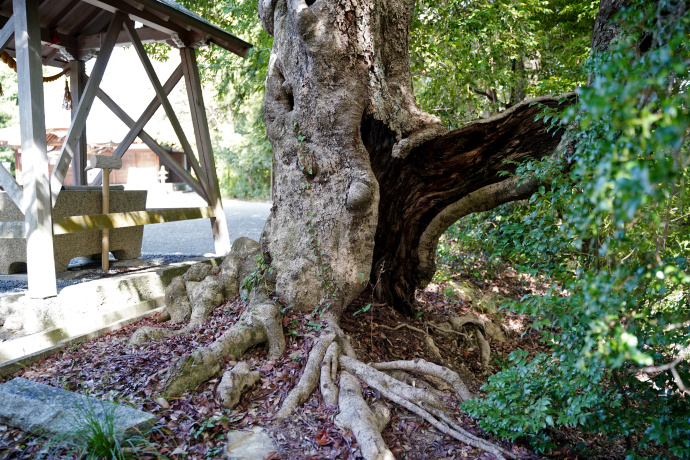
(75, 28)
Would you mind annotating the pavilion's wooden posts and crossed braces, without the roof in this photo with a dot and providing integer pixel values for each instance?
(40, 192)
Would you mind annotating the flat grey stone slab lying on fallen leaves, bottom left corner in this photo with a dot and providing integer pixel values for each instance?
(42, 409)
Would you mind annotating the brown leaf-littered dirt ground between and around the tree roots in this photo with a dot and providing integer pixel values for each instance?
(193, 426)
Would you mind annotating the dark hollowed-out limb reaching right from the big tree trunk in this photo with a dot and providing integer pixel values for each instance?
(434, 177)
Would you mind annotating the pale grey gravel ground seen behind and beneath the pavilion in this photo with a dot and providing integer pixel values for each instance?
(166, 243)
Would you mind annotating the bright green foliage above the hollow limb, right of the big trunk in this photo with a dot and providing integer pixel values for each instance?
(474, 58)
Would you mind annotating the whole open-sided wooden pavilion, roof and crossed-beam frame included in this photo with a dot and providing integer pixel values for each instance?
(65, 34)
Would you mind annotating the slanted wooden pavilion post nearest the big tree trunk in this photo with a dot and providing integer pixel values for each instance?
(221, 237)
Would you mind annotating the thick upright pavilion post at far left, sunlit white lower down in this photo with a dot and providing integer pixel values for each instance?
(37, 206)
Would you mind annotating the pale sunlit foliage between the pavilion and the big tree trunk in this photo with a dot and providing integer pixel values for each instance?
(243, 153)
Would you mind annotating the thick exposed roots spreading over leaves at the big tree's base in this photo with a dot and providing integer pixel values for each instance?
(262, 322)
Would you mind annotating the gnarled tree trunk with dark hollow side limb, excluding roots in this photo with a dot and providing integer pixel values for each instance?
(361, 171)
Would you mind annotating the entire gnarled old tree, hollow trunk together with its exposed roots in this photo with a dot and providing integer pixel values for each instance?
(366, 183)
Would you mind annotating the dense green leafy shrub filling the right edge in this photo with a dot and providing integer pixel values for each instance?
(611, 230)
